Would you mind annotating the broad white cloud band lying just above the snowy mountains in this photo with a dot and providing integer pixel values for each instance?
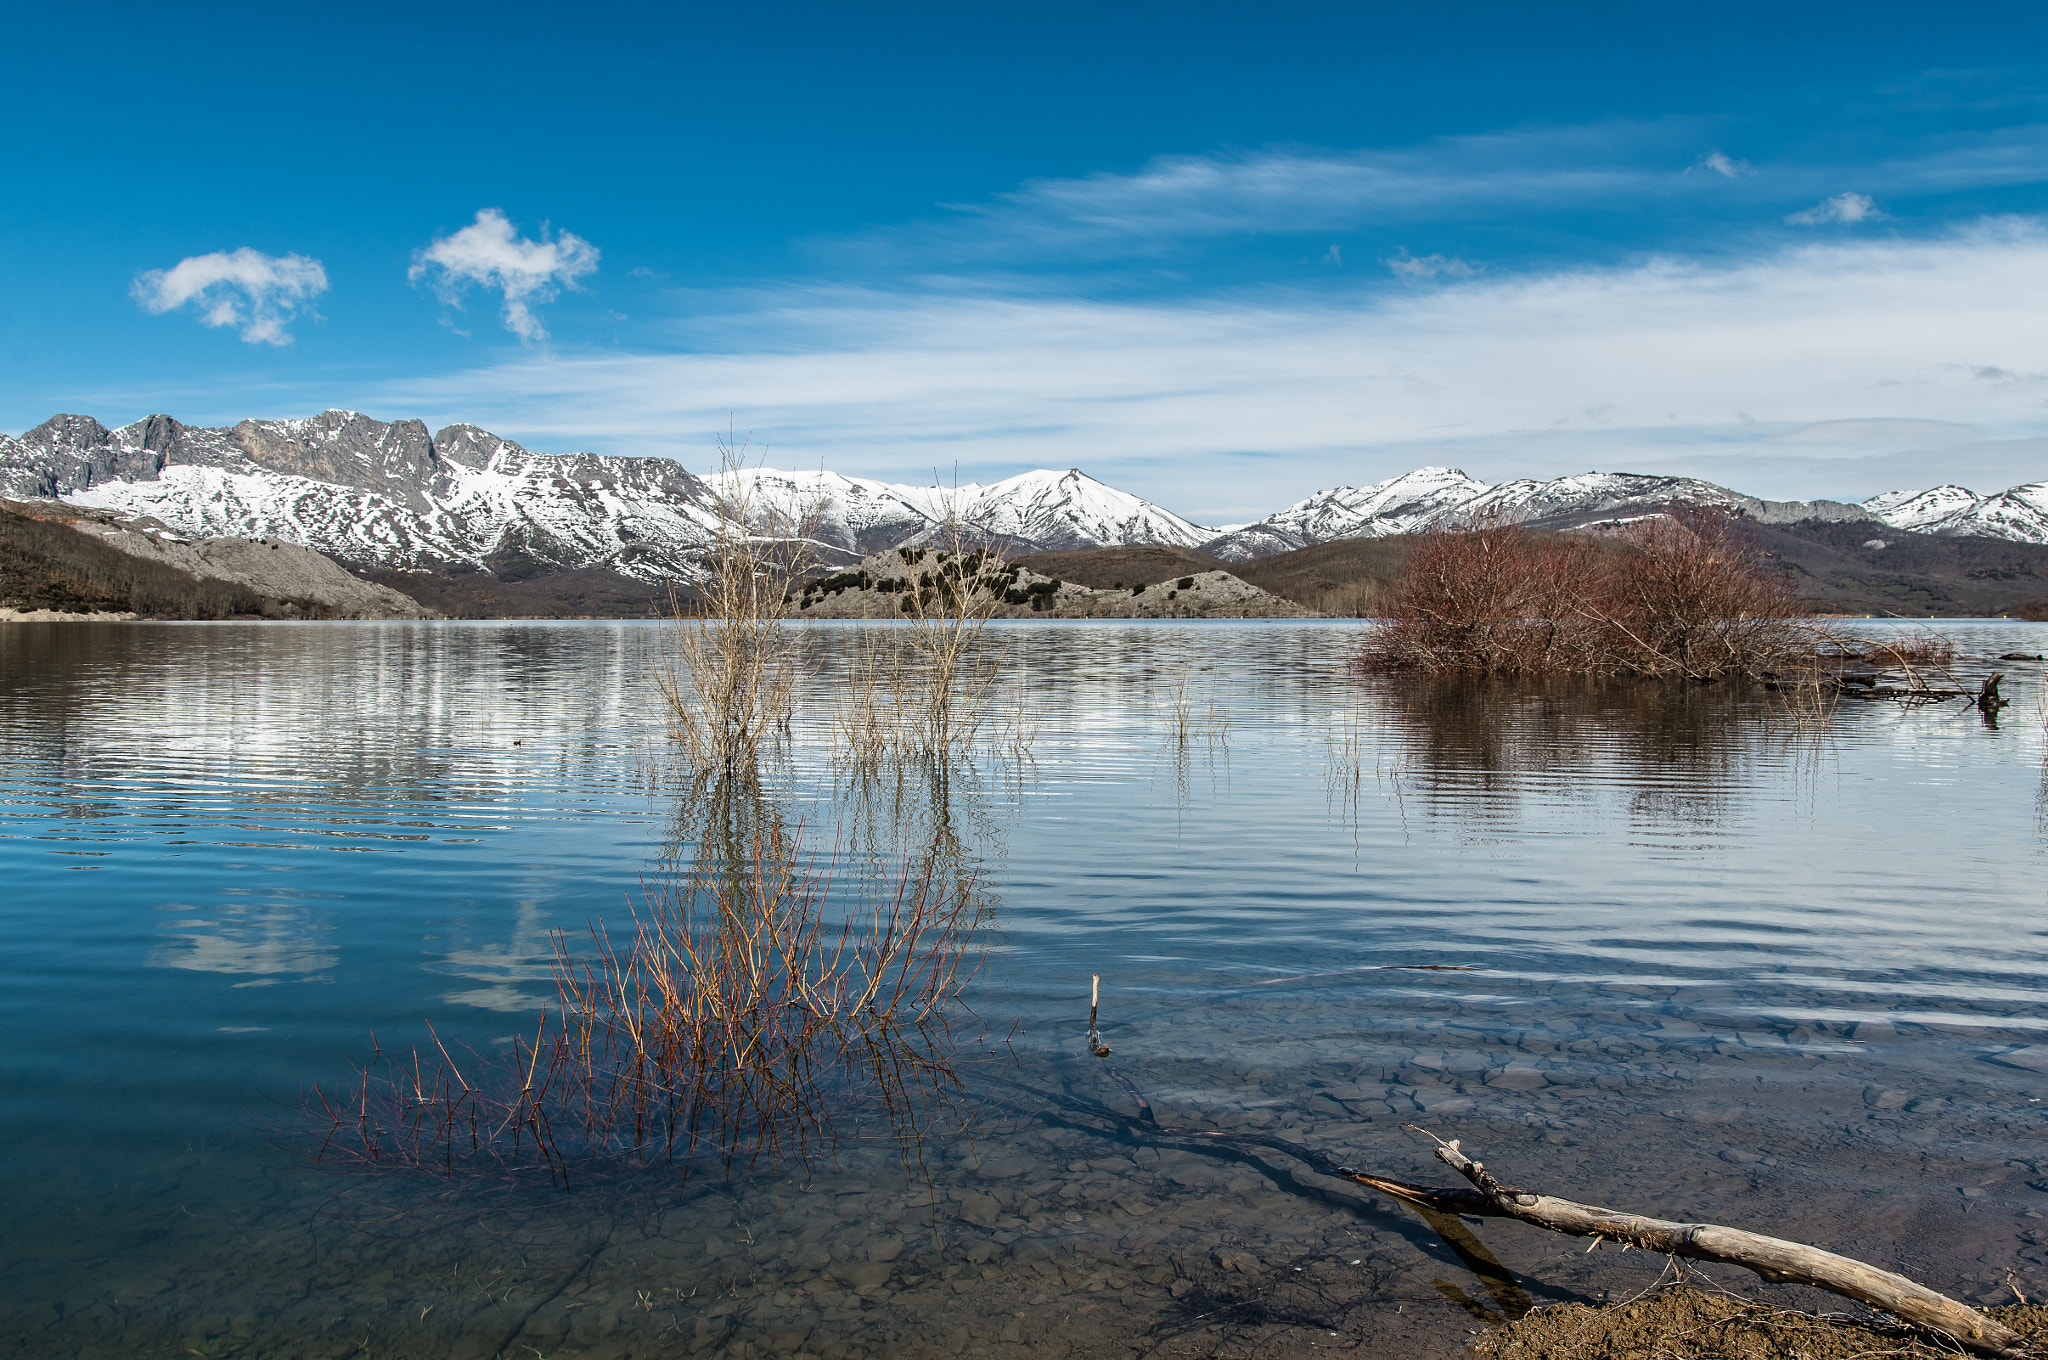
(1191, 400)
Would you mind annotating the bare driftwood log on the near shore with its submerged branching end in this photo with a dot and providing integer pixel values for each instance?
(1773, 1259)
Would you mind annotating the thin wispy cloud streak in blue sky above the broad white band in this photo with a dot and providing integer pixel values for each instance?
(1644, 169)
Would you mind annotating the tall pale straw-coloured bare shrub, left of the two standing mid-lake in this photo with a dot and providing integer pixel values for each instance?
(730, 675)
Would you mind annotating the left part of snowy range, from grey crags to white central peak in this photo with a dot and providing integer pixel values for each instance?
(392, 495)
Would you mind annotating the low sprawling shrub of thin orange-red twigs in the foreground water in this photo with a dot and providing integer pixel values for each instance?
(740, 1023)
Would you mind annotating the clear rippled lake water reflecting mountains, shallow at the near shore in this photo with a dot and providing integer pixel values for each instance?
(1723, 966)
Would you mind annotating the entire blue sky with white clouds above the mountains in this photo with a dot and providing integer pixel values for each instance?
(1218, 255)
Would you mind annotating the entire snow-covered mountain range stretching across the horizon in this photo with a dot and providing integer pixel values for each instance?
(398, 497)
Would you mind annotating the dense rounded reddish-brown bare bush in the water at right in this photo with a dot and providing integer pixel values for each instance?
(1680, 595)
